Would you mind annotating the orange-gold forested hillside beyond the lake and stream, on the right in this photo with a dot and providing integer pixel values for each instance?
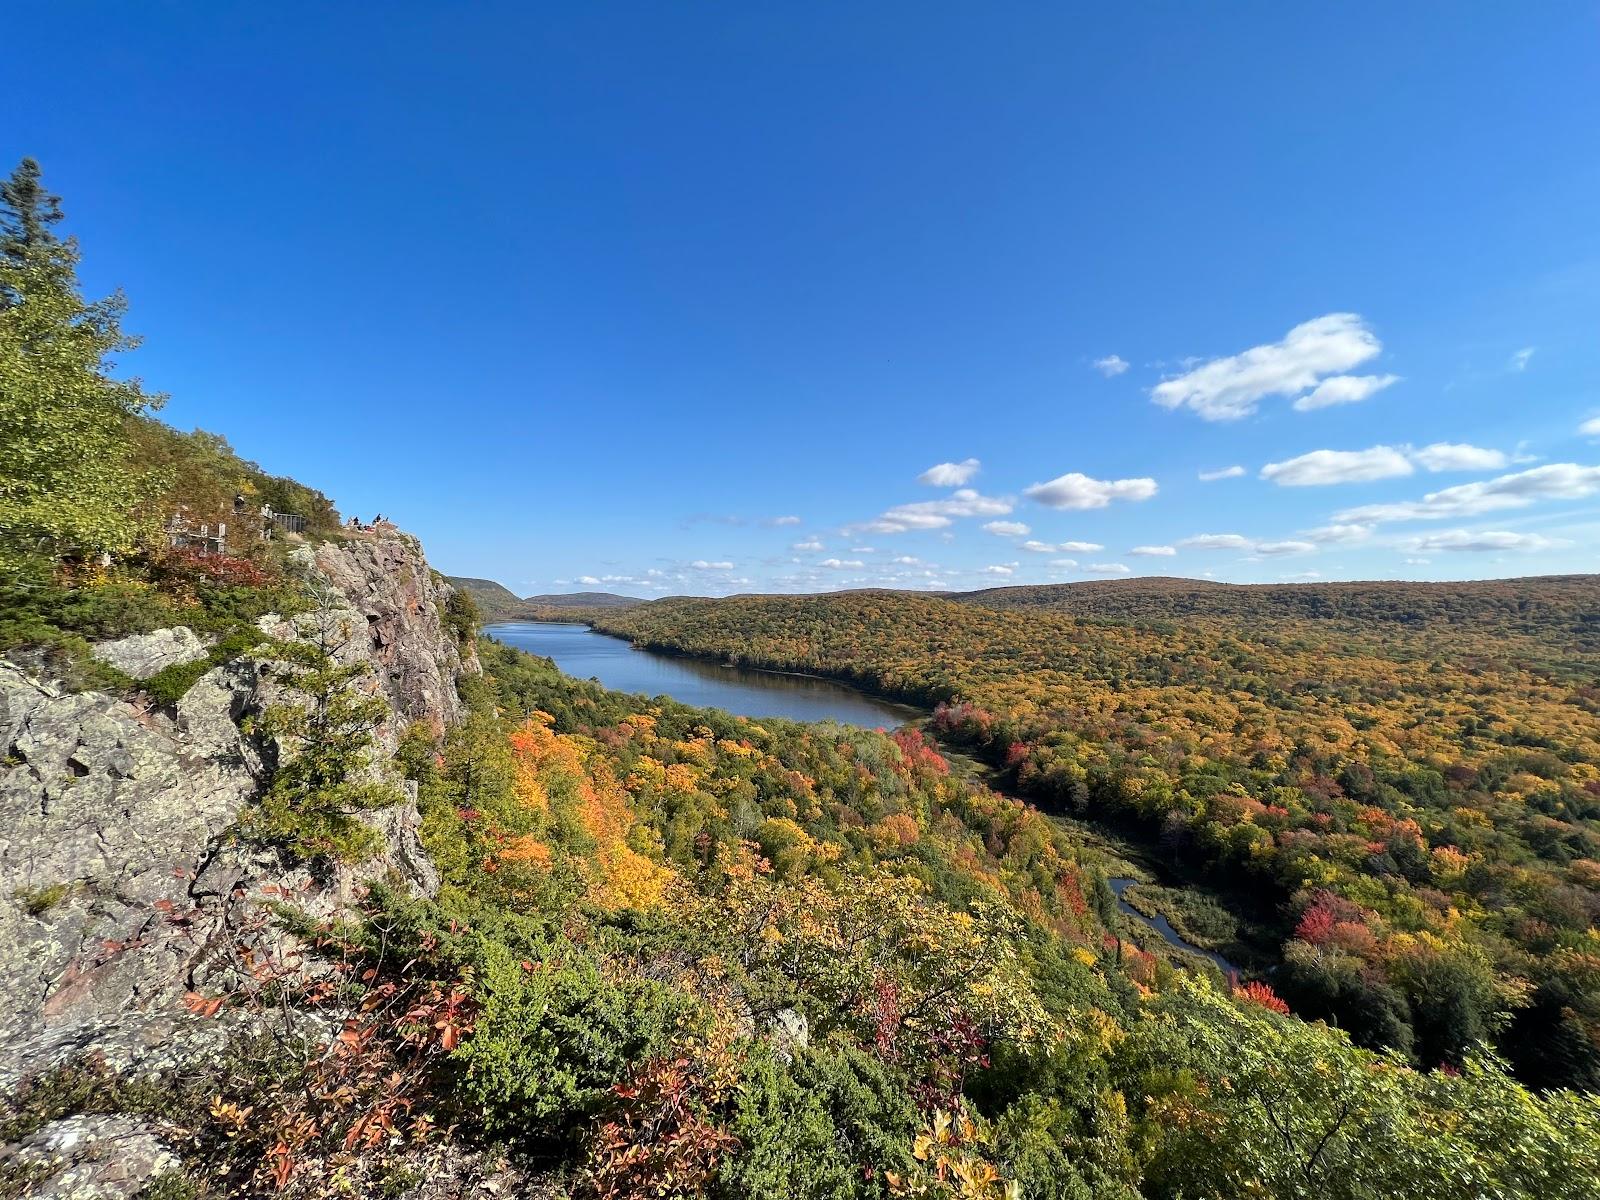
(1415, 777)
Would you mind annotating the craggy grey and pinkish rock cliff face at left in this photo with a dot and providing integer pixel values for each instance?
(121, 889)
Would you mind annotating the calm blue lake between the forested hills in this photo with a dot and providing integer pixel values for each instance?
(585, 654)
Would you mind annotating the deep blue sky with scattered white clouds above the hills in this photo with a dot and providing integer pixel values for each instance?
(700, 298)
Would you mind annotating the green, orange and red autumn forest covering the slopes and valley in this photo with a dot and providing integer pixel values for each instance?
(676, 953)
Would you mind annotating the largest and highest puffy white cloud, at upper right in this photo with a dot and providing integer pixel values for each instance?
(1226, 390)
